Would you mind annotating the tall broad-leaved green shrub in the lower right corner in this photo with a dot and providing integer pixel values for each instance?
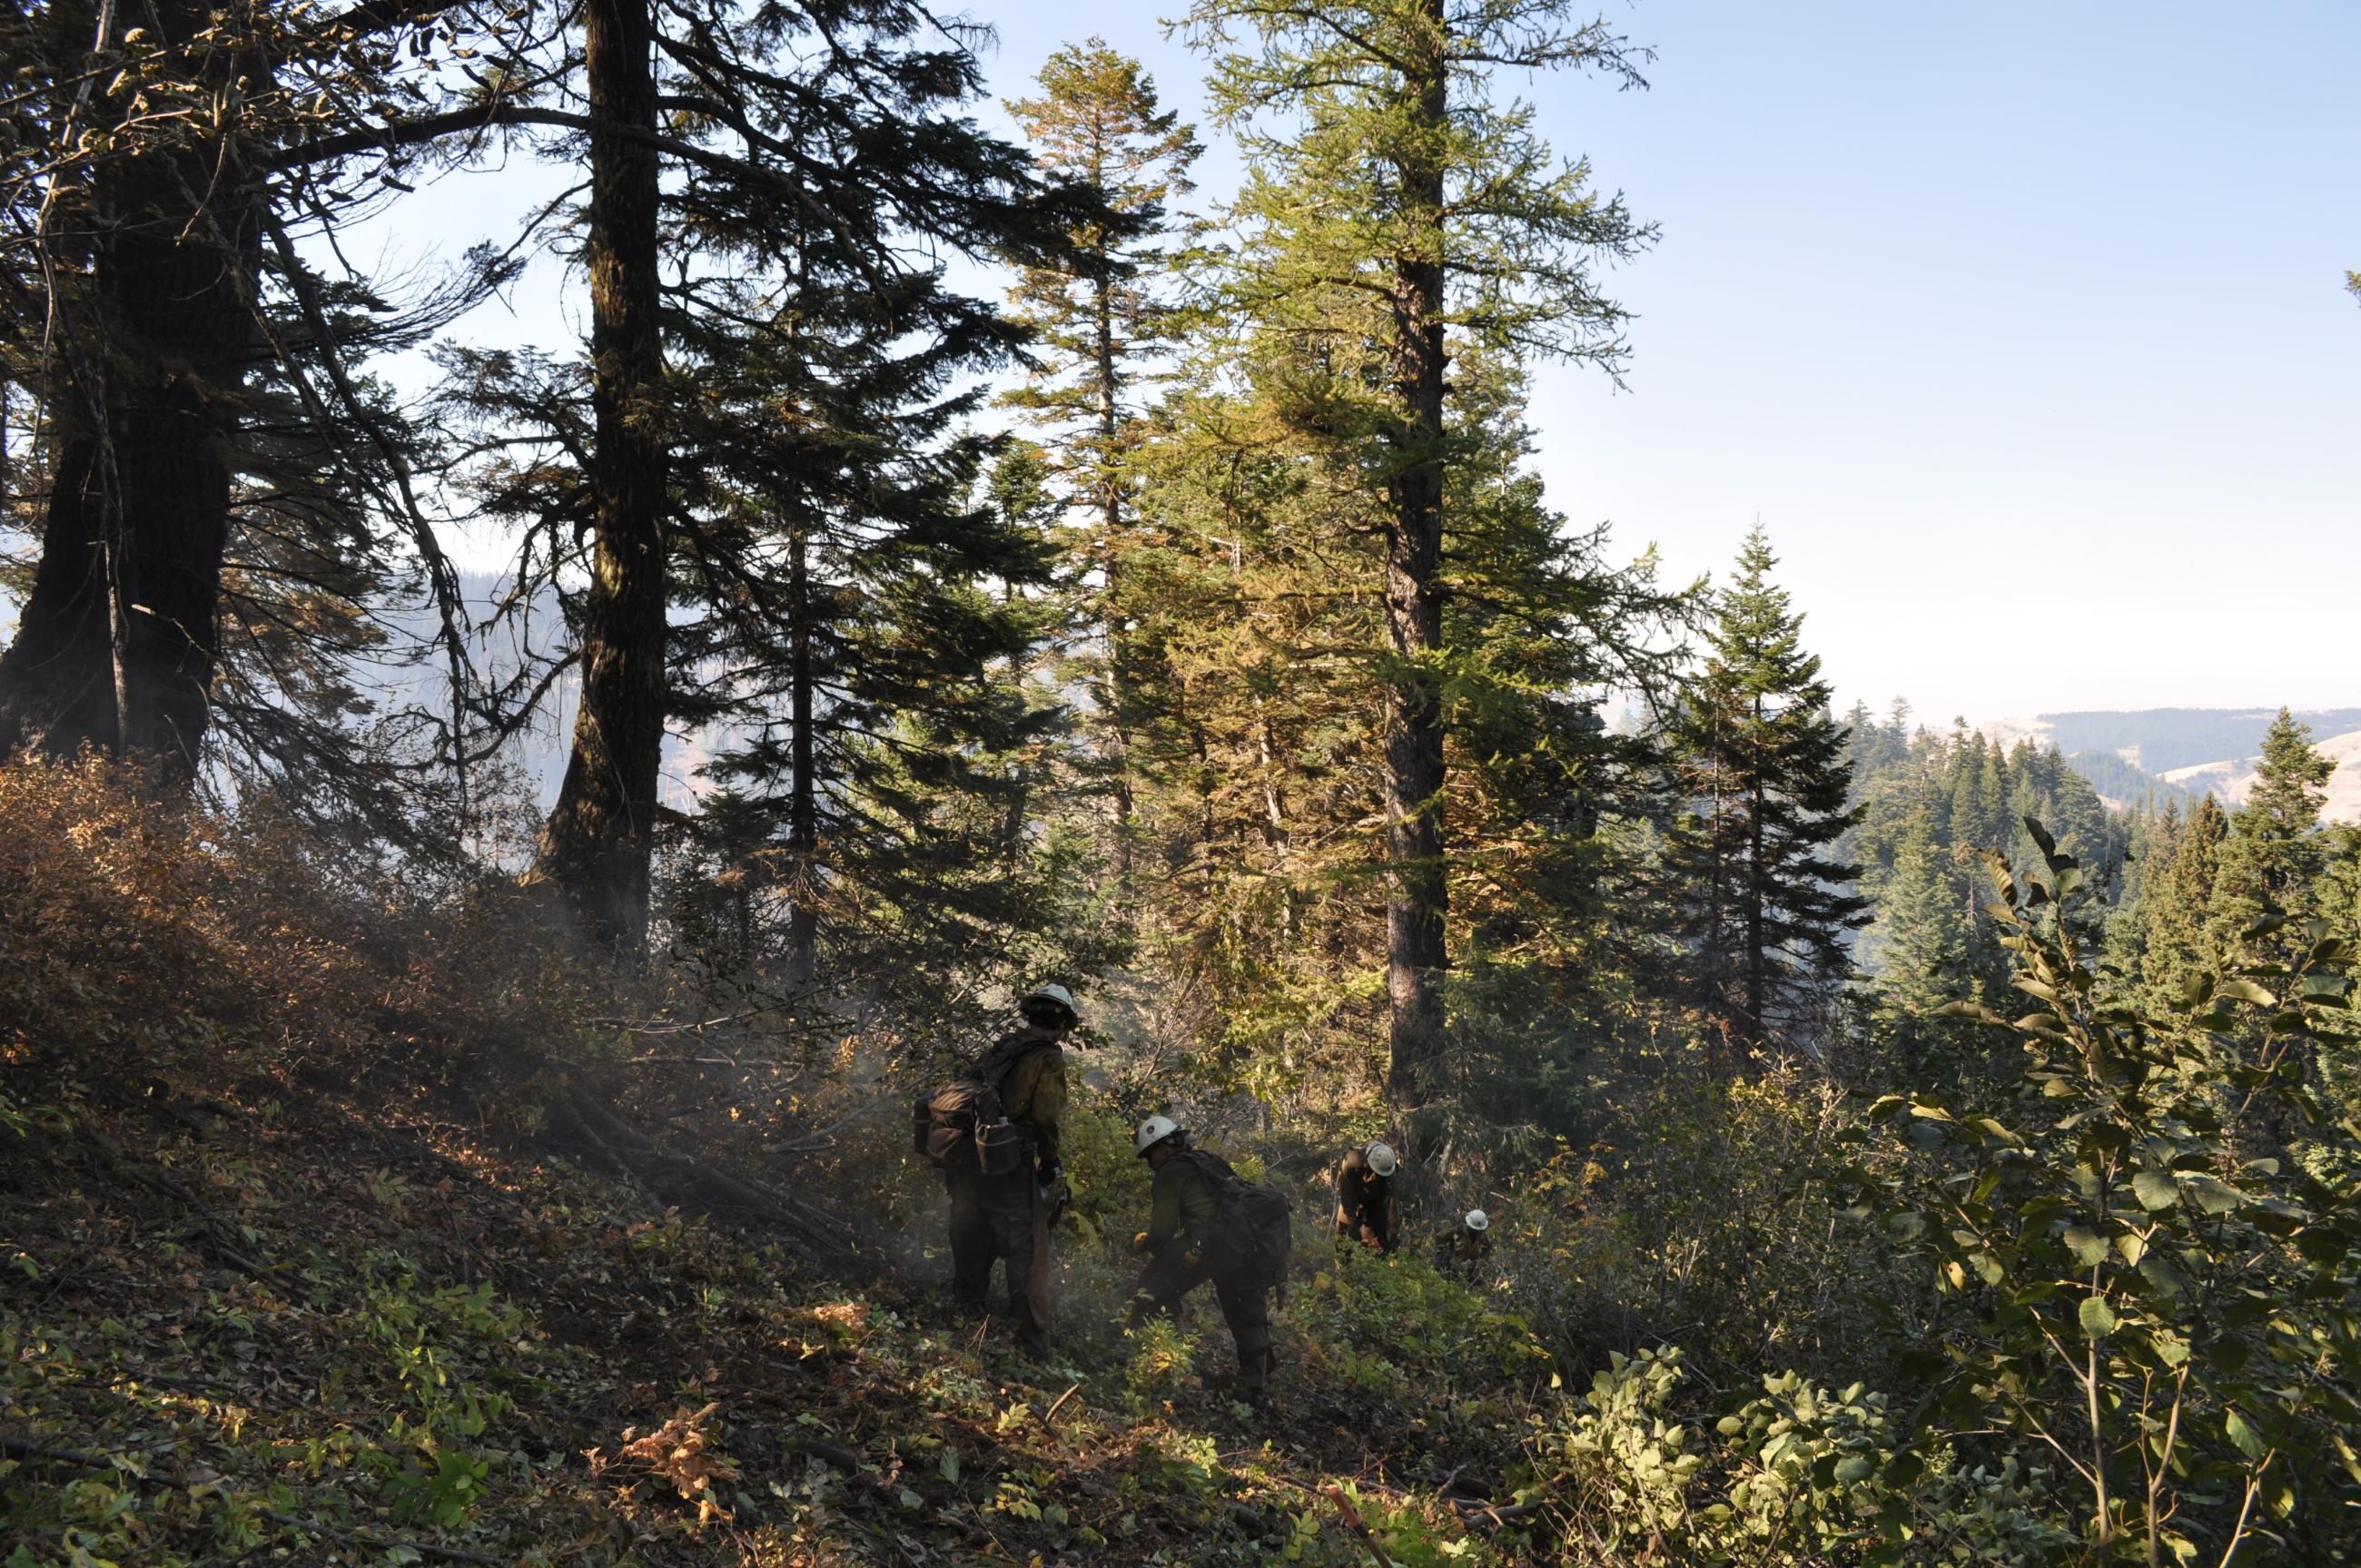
(2138, 1286)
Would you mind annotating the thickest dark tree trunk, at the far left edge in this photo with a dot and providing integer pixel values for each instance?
(117, 641)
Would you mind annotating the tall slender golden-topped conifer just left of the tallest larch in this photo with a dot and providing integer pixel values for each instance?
(1099, 315)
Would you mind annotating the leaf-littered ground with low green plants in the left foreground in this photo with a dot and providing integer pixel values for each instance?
(287, 1324)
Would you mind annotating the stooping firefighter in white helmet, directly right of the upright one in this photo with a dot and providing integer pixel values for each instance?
(1186, 1248)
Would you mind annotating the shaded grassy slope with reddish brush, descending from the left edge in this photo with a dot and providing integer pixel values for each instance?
(334, 1236)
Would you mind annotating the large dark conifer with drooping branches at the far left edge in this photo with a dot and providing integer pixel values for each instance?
(218, 490)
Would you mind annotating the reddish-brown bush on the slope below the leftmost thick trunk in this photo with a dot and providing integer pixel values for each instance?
(237, 939)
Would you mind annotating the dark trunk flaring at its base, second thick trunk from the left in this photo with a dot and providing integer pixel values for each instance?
(601, 835)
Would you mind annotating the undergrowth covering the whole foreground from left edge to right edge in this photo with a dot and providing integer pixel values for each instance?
(318, 1248)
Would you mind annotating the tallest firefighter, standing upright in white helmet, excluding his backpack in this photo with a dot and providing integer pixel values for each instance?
(1007, 1217)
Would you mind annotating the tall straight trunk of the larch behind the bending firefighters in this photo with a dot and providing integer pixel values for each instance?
(1415, 889)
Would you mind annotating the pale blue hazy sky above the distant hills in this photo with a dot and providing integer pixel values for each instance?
(2020, 327)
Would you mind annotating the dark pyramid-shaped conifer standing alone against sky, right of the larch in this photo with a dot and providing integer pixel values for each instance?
(1760, 764)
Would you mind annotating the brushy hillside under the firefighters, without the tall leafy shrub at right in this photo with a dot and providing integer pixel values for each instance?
(365, 1231)
